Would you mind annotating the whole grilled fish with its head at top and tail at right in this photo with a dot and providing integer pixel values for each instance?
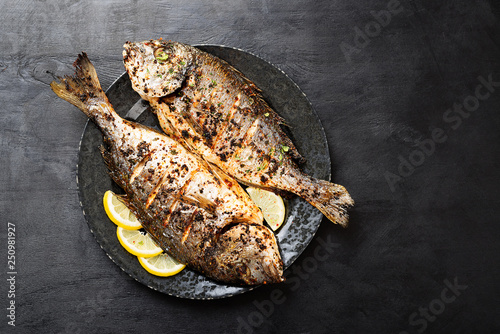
(222, 116)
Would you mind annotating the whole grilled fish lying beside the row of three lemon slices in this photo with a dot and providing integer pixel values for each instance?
(198, 214)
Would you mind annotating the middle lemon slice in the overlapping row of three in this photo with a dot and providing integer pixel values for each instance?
(137, 243)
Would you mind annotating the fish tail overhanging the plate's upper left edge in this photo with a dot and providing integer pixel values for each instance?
(81, 89)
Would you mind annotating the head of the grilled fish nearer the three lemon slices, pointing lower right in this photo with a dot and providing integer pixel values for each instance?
(249, 254)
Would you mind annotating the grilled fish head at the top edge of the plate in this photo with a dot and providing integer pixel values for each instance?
(157, 67)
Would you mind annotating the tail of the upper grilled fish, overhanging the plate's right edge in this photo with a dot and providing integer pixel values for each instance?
(331, 199)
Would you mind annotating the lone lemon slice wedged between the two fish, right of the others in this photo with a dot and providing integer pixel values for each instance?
(272, 206)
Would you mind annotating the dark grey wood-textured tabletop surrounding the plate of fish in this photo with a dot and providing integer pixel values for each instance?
(439, 222)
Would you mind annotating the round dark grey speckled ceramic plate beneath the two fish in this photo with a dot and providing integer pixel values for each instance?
(302, 220)
